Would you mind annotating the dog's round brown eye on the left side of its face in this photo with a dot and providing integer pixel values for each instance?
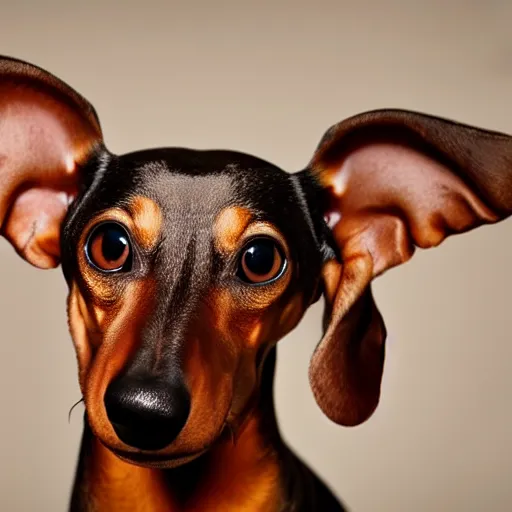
(108, 248)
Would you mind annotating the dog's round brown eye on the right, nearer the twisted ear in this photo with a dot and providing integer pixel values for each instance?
(262, 261)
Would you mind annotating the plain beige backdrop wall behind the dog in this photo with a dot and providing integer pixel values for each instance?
(269, 78)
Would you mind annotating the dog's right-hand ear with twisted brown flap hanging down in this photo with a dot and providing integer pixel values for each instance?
(386, 182)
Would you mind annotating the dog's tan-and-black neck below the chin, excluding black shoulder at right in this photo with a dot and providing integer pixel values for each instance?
(235, 474)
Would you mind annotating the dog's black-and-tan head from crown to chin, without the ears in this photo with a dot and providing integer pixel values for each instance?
(183, 273)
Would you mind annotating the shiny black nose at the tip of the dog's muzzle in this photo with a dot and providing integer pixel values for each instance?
(145, 413)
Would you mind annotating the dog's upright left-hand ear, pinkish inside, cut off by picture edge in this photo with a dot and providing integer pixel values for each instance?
(47, 132)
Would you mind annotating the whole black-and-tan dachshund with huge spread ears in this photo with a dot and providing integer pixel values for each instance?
(186, 267)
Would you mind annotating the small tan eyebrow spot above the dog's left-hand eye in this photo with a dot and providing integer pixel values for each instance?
(147, 221)
